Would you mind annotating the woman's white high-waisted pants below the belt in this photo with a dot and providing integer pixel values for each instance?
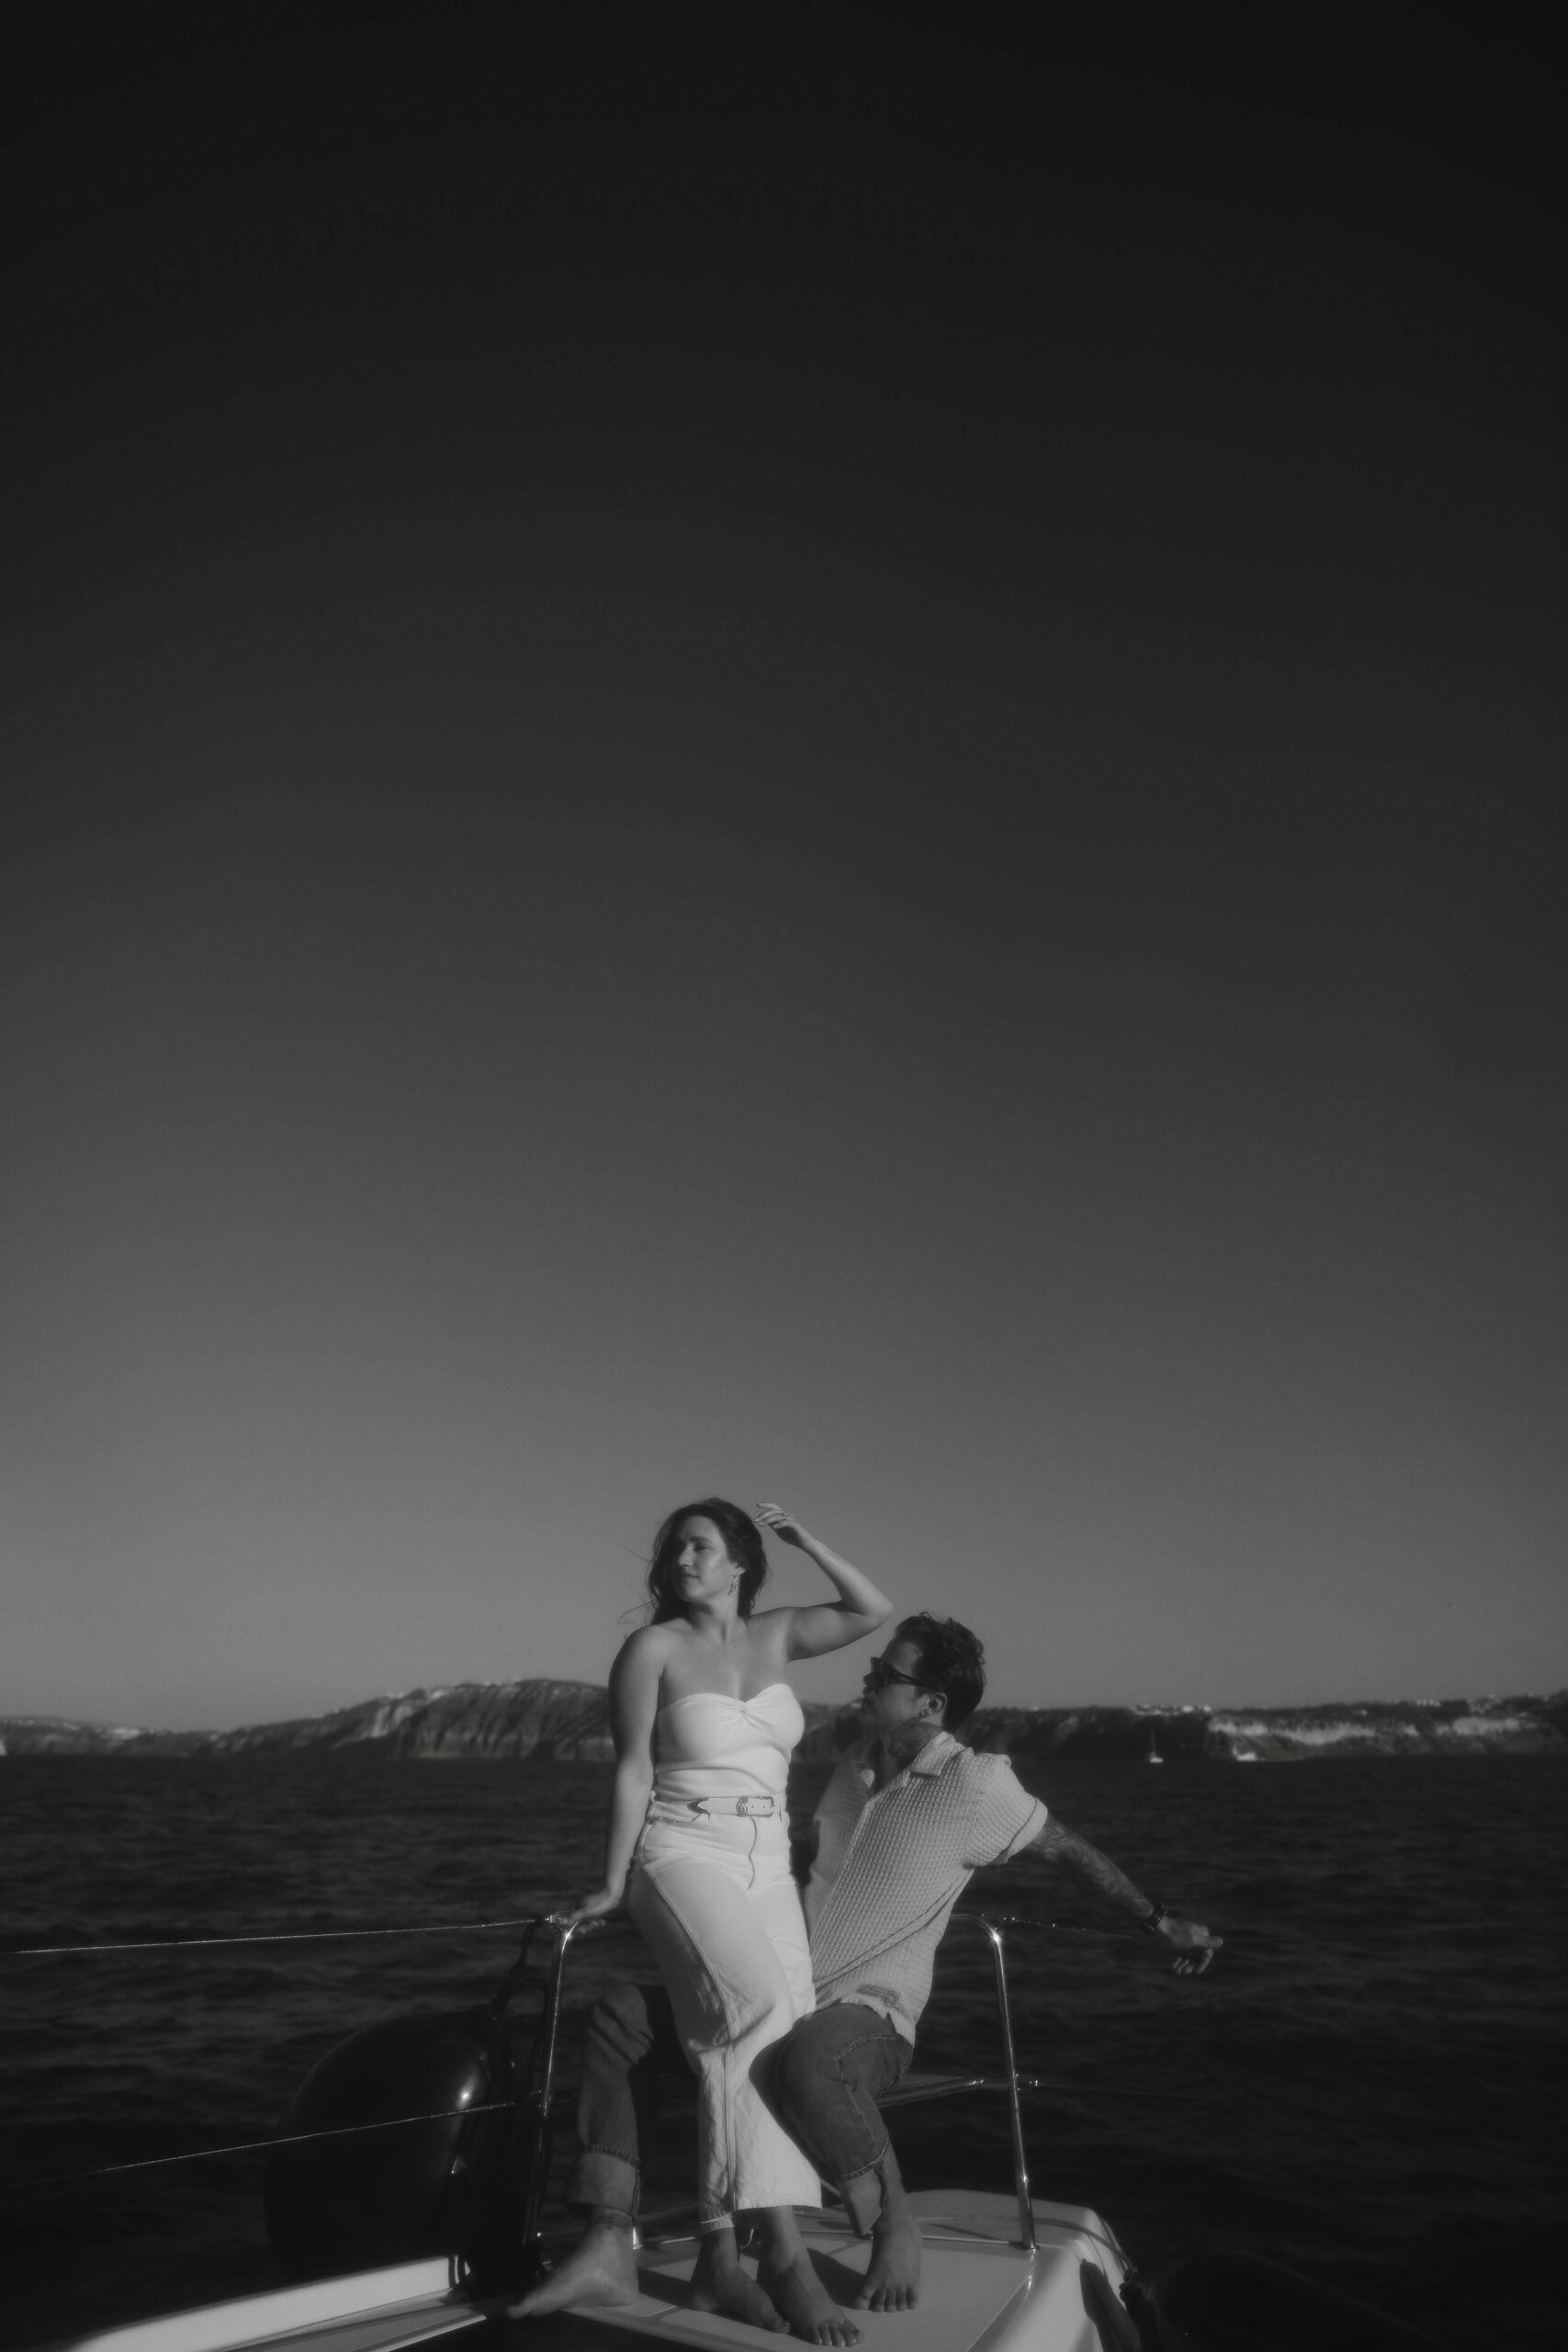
(721, 1913)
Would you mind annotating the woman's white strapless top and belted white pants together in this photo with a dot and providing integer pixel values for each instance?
(718, 1909)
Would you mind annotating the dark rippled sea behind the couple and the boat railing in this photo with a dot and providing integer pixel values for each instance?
(1367, 2087)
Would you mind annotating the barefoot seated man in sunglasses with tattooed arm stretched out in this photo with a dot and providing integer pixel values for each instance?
(909, 1817)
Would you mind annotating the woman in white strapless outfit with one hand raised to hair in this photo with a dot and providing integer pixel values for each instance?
(699, 1850)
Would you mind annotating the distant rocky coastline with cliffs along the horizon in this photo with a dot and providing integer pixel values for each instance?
(570, 1723)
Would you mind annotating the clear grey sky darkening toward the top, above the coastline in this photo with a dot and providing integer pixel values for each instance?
(869, 822)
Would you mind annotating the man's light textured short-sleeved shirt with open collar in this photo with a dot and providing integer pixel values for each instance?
(890, 1866)
